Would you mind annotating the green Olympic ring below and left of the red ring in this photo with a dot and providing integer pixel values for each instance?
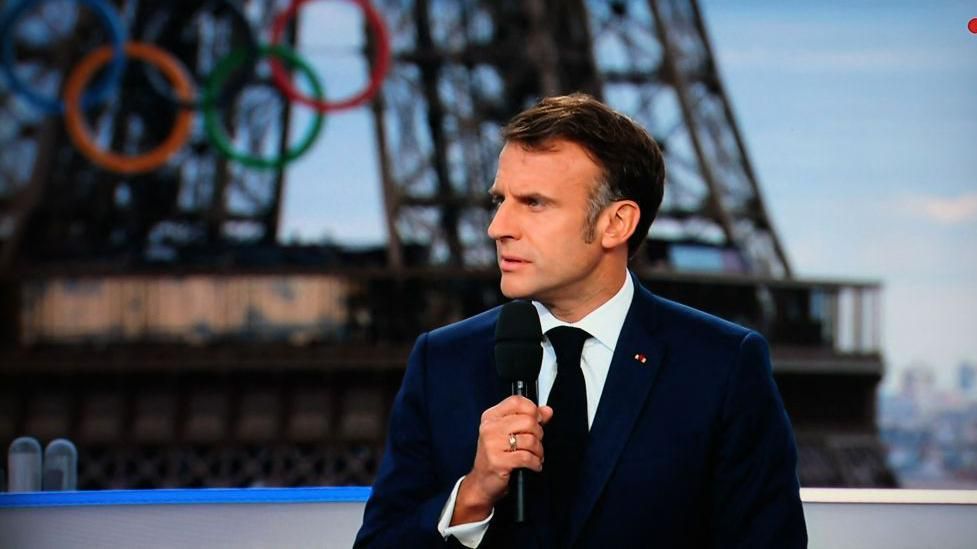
(218, 134)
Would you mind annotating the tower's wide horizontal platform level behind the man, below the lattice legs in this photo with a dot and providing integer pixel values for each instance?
(248, 372)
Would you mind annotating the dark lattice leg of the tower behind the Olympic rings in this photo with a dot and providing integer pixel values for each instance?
(198, 198)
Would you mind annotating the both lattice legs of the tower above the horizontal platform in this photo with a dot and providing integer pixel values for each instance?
(462, 68)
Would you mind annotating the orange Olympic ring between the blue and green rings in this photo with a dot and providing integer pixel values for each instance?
(80, 133)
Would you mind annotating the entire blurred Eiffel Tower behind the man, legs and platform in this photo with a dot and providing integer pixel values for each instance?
(272, 400)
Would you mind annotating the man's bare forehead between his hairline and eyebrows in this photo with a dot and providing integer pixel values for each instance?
(557, 162)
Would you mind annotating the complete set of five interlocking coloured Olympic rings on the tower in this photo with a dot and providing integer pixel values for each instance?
(223, 83)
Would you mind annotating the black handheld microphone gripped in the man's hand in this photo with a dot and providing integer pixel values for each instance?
(518, 354)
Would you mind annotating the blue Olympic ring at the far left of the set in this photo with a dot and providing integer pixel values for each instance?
(99, 91)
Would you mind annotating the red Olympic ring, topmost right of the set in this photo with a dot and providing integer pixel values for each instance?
(381, 60)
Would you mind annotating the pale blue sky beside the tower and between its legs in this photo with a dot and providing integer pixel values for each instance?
(860, 119)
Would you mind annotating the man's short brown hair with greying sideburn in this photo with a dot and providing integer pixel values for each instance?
(632, 163)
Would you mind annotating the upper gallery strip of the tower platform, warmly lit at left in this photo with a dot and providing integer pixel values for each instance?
(370, 306)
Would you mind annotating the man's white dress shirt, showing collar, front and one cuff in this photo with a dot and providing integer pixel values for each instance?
(604, 325)
